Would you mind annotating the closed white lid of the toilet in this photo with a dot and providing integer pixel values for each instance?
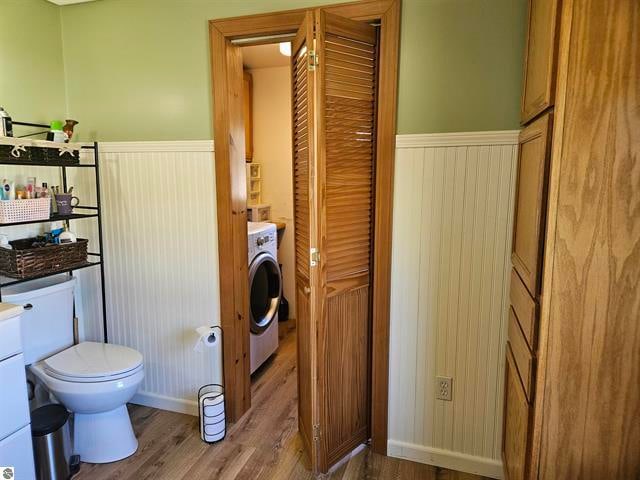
(93, 360)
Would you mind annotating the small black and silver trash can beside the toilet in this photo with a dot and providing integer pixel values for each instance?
(52, 443)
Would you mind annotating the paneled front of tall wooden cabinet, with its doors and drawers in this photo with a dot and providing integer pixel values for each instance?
(527, 250)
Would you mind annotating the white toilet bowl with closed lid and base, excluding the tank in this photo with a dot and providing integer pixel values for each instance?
(95, 381)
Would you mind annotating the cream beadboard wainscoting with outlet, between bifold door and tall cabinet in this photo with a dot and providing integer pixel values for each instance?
(453, 202)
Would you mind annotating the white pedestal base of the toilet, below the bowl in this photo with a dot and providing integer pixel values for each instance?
(104, 437)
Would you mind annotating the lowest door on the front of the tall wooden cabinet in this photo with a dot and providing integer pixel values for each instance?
(515, 438)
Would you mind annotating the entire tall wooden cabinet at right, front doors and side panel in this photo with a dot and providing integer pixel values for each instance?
(572, 394)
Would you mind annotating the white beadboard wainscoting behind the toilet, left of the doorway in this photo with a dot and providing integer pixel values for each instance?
(161, 263)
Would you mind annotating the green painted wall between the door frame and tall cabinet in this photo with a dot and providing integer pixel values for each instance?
(461, 65)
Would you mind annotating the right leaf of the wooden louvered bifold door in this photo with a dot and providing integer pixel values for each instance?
(346, 112)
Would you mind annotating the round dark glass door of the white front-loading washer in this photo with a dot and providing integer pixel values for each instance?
(265, 290)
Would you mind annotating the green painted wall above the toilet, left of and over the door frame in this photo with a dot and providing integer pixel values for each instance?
(139, 69)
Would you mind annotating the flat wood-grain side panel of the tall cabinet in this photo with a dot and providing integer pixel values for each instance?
(590, 426)
